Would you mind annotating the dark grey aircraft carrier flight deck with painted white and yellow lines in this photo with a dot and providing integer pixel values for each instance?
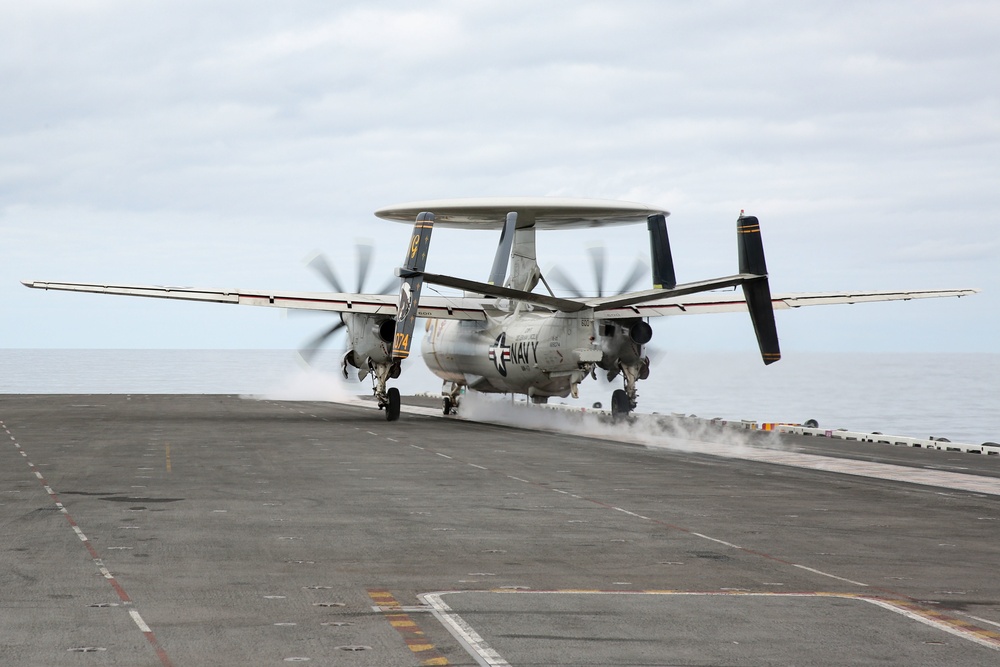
(155, 530)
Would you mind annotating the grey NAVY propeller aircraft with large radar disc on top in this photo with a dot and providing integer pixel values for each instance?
(503, 337)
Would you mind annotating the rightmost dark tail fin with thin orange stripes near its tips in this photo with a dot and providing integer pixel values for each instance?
(756, 290)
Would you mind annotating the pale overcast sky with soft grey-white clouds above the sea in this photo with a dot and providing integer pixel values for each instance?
(217, 144)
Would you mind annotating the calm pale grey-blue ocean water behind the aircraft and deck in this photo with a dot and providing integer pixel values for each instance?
(956, 396)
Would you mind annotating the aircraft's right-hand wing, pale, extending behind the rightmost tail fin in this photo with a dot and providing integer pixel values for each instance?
(733, 301)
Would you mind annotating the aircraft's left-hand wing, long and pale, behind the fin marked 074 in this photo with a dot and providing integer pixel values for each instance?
(444, 307)
